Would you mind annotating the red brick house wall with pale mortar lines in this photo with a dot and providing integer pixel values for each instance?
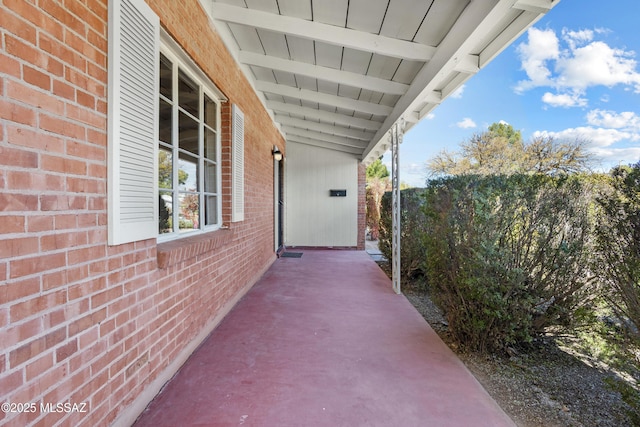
(81, 321)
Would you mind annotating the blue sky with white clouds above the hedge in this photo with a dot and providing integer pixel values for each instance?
(574, 74)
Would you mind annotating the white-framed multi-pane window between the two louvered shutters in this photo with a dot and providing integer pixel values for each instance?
(188, 150)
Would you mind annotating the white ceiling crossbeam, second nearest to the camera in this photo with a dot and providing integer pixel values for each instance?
(323, 73)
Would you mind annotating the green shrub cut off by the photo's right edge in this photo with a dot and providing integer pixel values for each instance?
(618, 237)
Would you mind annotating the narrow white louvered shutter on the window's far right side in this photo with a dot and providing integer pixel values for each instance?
(237, 190)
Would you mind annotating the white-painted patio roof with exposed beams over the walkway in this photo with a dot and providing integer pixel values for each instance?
(339, 73)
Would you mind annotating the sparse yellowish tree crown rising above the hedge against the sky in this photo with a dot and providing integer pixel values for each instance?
(501, 151)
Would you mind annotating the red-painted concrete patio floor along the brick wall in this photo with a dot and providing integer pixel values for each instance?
(322, 340)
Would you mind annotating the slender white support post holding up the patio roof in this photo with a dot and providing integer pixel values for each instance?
(397, 131)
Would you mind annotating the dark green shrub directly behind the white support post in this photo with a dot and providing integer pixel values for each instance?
(412, 228)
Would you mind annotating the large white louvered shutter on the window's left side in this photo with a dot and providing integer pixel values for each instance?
(132, 121)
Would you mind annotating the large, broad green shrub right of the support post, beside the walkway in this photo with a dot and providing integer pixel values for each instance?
(506, 255)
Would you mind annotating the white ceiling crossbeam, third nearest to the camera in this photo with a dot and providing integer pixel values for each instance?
(324, 98)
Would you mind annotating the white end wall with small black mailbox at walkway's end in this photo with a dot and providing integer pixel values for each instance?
(312, 218)
